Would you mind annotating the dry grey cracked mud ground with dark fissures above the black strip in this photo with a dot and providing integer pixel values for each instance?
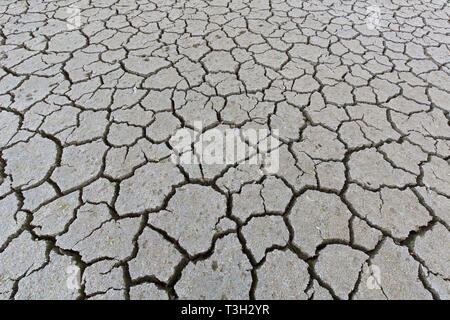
(87, 116)
